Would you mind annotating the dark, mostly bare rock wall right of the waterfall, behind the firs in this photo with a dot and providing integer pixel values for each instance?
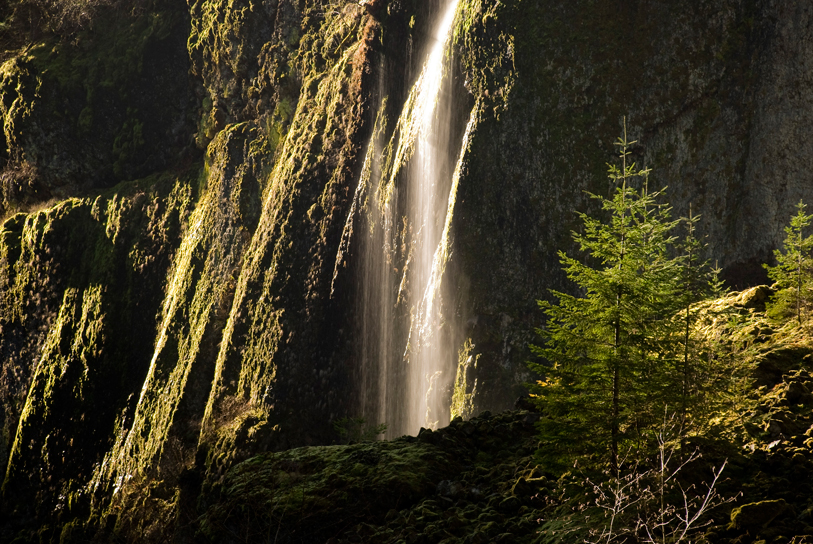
(717, 95)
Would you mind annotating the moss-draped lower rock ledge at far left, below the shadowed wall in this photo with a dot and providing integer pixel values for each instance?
(86, 267)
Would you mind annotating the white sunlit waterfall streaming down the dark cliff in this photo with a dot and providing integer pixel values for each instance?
(407, 346)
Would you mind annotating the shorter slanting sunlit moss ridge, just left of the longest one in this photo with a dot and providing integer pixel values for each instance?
(197, 298)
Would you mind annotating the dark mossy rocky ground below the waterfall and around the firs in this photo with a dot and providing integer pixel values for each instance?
(476, 482)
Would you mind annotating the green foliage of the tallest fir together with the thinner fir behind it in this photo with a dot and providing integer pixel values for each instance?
(620, 350)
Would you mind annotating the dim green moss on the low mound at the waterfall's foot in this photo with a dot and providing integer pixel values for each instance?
(323, 484)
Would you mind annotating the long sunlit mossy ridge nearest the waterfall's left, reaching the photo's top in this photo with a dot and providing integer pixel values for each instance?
(320, 122)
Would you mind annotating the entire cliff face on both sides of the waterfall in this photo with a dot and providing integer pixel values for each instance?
(154, 332)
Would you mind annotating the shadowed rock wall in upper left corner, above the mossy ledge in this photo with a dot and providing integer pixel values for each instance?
(85, 110)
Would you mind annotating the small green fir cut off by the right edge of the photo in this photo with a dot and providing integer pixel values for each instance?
(793, 272)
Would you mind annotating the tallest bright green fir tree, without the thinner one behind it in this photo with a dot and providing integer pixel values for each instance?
(600, 346)
